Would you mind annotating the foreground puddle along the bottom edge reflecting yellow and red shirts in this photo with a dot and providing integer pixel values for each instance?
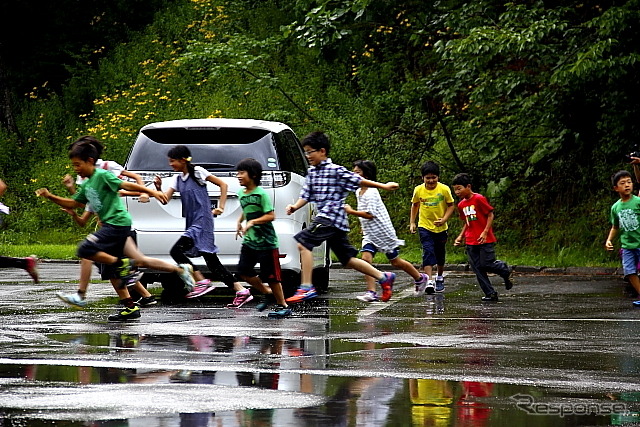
(38, 395)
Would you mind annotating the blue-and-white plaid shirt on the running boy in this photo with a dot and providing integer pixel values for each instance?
(327, 185)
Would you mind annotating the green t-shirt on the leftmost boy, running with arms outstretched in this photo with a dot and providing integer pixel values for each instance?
(101, 192)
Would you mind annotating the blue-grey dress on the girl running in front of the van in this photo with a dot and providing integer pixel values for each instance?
(196, 209)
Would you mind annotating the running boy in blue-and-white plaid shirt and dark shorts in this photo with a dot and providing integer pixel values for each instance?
(328, 185)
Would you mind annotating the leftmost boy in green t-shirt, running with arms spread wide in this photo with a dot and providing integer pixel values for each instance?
(108, 244)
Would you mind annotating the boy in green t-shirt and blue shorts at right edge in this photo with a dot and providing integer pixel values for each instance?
(625, 219)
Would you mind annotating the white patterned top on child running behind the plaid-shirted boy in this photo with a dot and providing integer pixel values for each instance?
(379, 230)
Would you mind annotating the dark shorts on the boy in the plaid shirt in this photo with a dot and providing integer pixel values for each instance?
(320, 230)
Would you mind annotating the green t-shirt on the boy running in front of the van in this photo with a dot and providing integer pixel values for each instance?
(254, 205)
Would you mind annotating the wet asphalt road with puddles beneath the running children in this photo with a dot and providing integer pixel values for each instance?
(551, 347)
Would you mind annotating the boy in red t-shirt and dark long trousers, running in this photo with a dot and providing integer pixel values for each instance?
(477, 214)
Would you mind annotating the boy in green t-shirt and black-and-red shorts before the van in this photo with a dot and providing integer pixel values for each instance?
(260, 241)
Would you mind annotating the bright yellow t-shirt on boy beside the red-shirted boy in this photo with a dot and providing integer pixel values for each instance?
(433, 205)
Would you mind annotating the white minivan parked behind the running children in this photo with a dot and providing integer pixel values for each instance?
(218, 145)
